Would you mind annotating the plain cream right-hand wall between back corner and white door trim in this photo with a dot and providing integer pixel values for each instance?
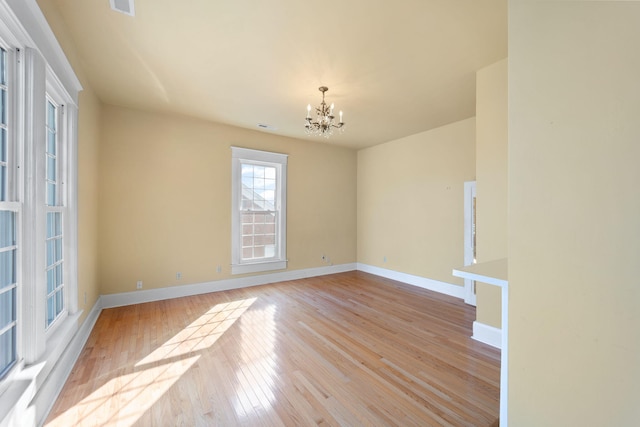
(411, 201)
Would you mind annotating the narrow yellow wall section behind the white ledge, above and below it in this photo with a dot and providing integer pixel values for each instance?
(491, 182)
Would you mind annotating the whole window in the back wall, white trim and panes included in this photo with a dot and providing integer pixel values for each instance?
(258, 223)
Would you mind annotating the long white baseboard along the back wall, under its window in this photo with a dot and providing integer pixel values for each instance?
(138, 297)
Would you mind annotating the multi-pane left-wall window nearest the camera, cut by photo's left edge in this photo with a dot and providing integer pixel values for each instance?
(8, 234)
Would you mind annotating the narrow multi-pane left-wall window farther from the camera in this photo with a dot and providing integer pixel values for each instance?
(55, 259)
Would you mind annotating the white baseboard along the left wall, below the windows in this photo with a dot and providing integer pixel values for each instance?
(47, 394)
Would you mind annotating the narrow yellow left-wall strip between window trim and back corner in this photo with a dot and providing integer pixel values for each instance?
(89, 111)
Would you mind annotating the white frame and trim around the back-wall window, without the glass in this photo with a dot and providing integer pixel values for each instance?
(239, 157)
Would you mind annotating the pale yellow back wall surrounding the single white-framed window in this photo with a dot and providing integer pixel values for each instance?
(165, 199)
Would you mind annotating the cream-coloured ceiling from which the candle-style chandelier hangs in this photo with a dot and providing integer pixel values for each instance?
(394, 68)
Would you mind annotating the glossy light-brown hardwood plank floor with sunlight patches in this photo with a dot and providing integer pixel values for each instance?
(346, 349)
